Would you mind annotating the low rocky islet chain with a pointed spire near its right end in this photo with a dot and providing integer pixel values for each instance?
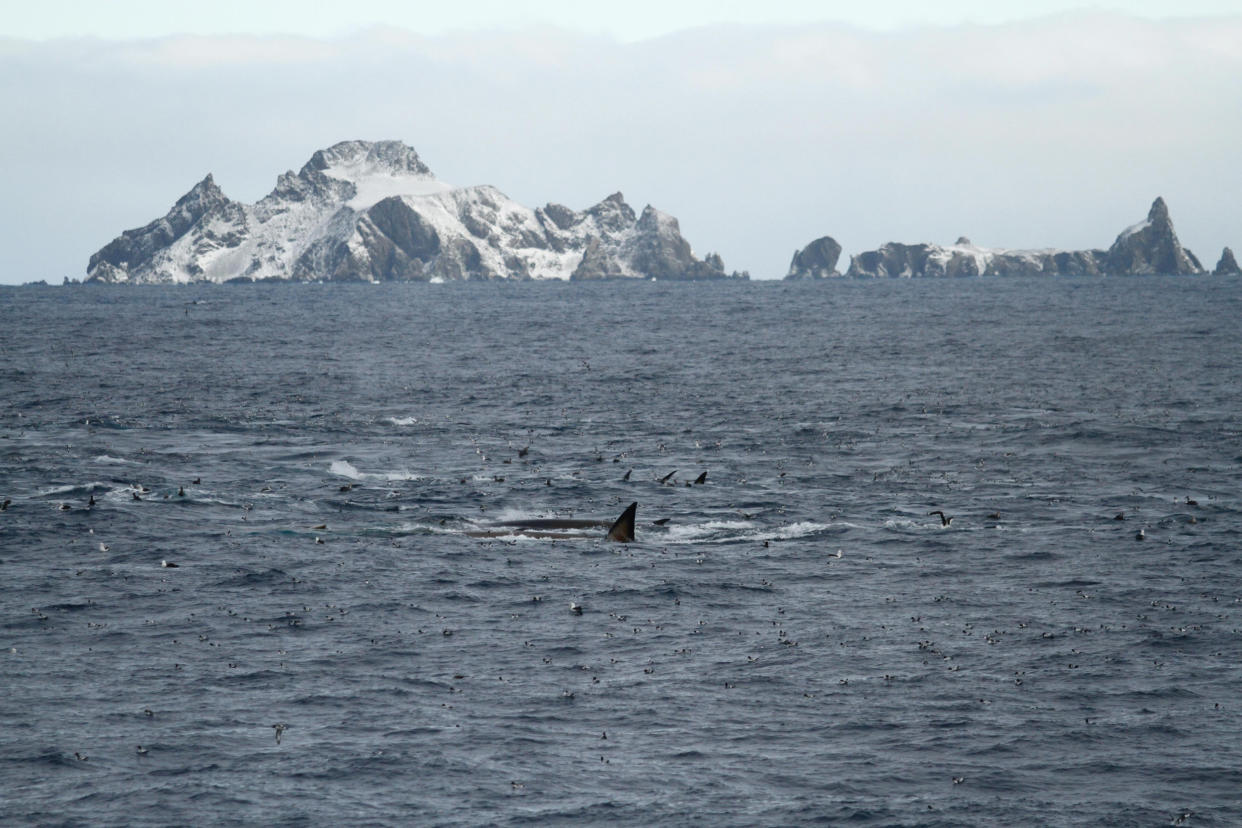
(1148, 248)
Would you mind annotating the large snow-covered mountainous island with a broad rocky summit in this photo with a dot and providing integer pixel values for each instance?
(373, 212)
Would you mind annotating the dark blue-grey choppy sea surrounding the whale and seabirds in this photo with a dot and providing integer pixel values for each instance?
(800, 644)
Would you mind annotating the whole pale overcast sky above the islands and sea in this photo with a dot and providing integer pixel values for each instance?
(1020, 125)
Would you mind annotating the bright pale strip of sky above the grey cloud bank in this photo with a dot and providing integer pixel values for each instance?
(630, 20)
